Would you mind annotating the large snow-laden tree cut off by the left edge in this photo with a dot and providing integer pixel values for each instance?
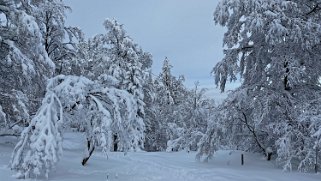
(25, 65)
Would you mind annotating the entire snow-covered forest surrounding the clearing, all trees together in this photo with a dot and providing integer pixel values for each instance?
(55, 81)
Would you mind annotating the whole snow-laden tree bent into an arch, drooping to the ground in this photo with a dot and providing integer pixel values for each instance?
(101, 113)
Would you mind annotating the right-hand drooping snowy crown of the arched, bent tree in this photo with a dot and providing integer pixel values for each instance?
(102, 105)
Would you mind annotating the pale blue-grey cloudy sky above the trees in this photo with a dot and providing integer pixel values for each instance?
(182, 30)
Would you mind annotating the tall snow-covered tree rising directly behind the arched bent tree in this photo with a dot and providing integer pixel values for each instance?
(115, 60)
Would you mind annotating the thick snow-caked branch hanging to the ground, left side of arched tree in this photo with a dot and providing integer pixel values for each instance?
(40, 145)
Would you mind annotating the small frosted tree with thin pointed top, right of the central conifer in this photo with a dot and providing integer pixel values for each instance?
(194, 112)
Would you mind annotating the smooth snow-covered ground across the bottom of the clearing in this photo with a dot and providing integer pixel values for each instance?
(142, 166)
